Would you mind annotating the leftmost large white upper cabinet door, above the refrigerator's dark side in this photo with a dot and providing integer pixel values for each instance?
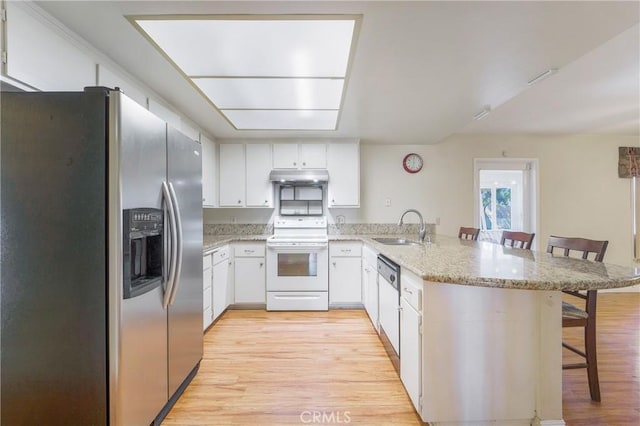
(41, 56)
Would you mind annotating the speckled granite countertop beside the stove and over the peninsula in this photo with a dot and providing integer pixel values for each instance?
(454, 261)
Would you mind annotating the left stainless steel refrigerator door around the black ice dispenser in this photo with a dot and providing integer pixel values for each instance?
(138, 350)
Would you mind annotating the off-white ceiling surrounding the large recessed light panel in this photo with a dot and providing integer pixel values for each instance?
(423, 69)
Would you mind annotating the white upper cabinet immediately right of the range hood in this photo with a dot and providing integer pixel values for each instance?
(343, 165)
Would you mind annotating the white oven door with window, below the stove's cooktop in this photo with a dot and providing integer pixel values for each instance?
(297, 267)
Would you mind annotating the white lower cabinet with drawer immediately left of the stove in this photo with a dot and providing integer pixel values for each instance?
(250, 276)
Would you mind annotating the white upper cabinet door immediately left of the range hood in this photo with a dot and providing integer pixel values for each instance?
(258, 166)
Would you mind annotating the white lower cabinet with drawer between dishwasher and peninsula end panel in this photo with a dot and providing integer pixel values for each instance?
(411, 337)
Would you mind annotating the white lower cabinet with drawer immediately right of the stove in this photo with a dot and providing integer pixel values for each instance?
(345, 282)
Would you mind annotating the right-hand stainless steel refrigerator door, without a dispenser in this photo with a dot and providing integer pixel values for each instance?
(185, 313)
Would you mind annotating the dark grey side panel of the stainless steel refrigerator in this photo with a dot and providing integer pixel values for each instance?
(53, 307)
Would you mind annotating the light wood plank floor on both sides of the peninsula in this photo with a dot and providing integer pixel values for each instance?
(280, 368)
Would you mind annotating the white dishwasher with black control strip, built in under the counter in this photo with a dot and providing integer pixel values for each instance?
(389, 303)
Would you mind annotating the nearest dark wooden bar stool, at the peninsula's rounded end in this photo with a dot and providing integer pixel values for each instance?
(572, 316)
